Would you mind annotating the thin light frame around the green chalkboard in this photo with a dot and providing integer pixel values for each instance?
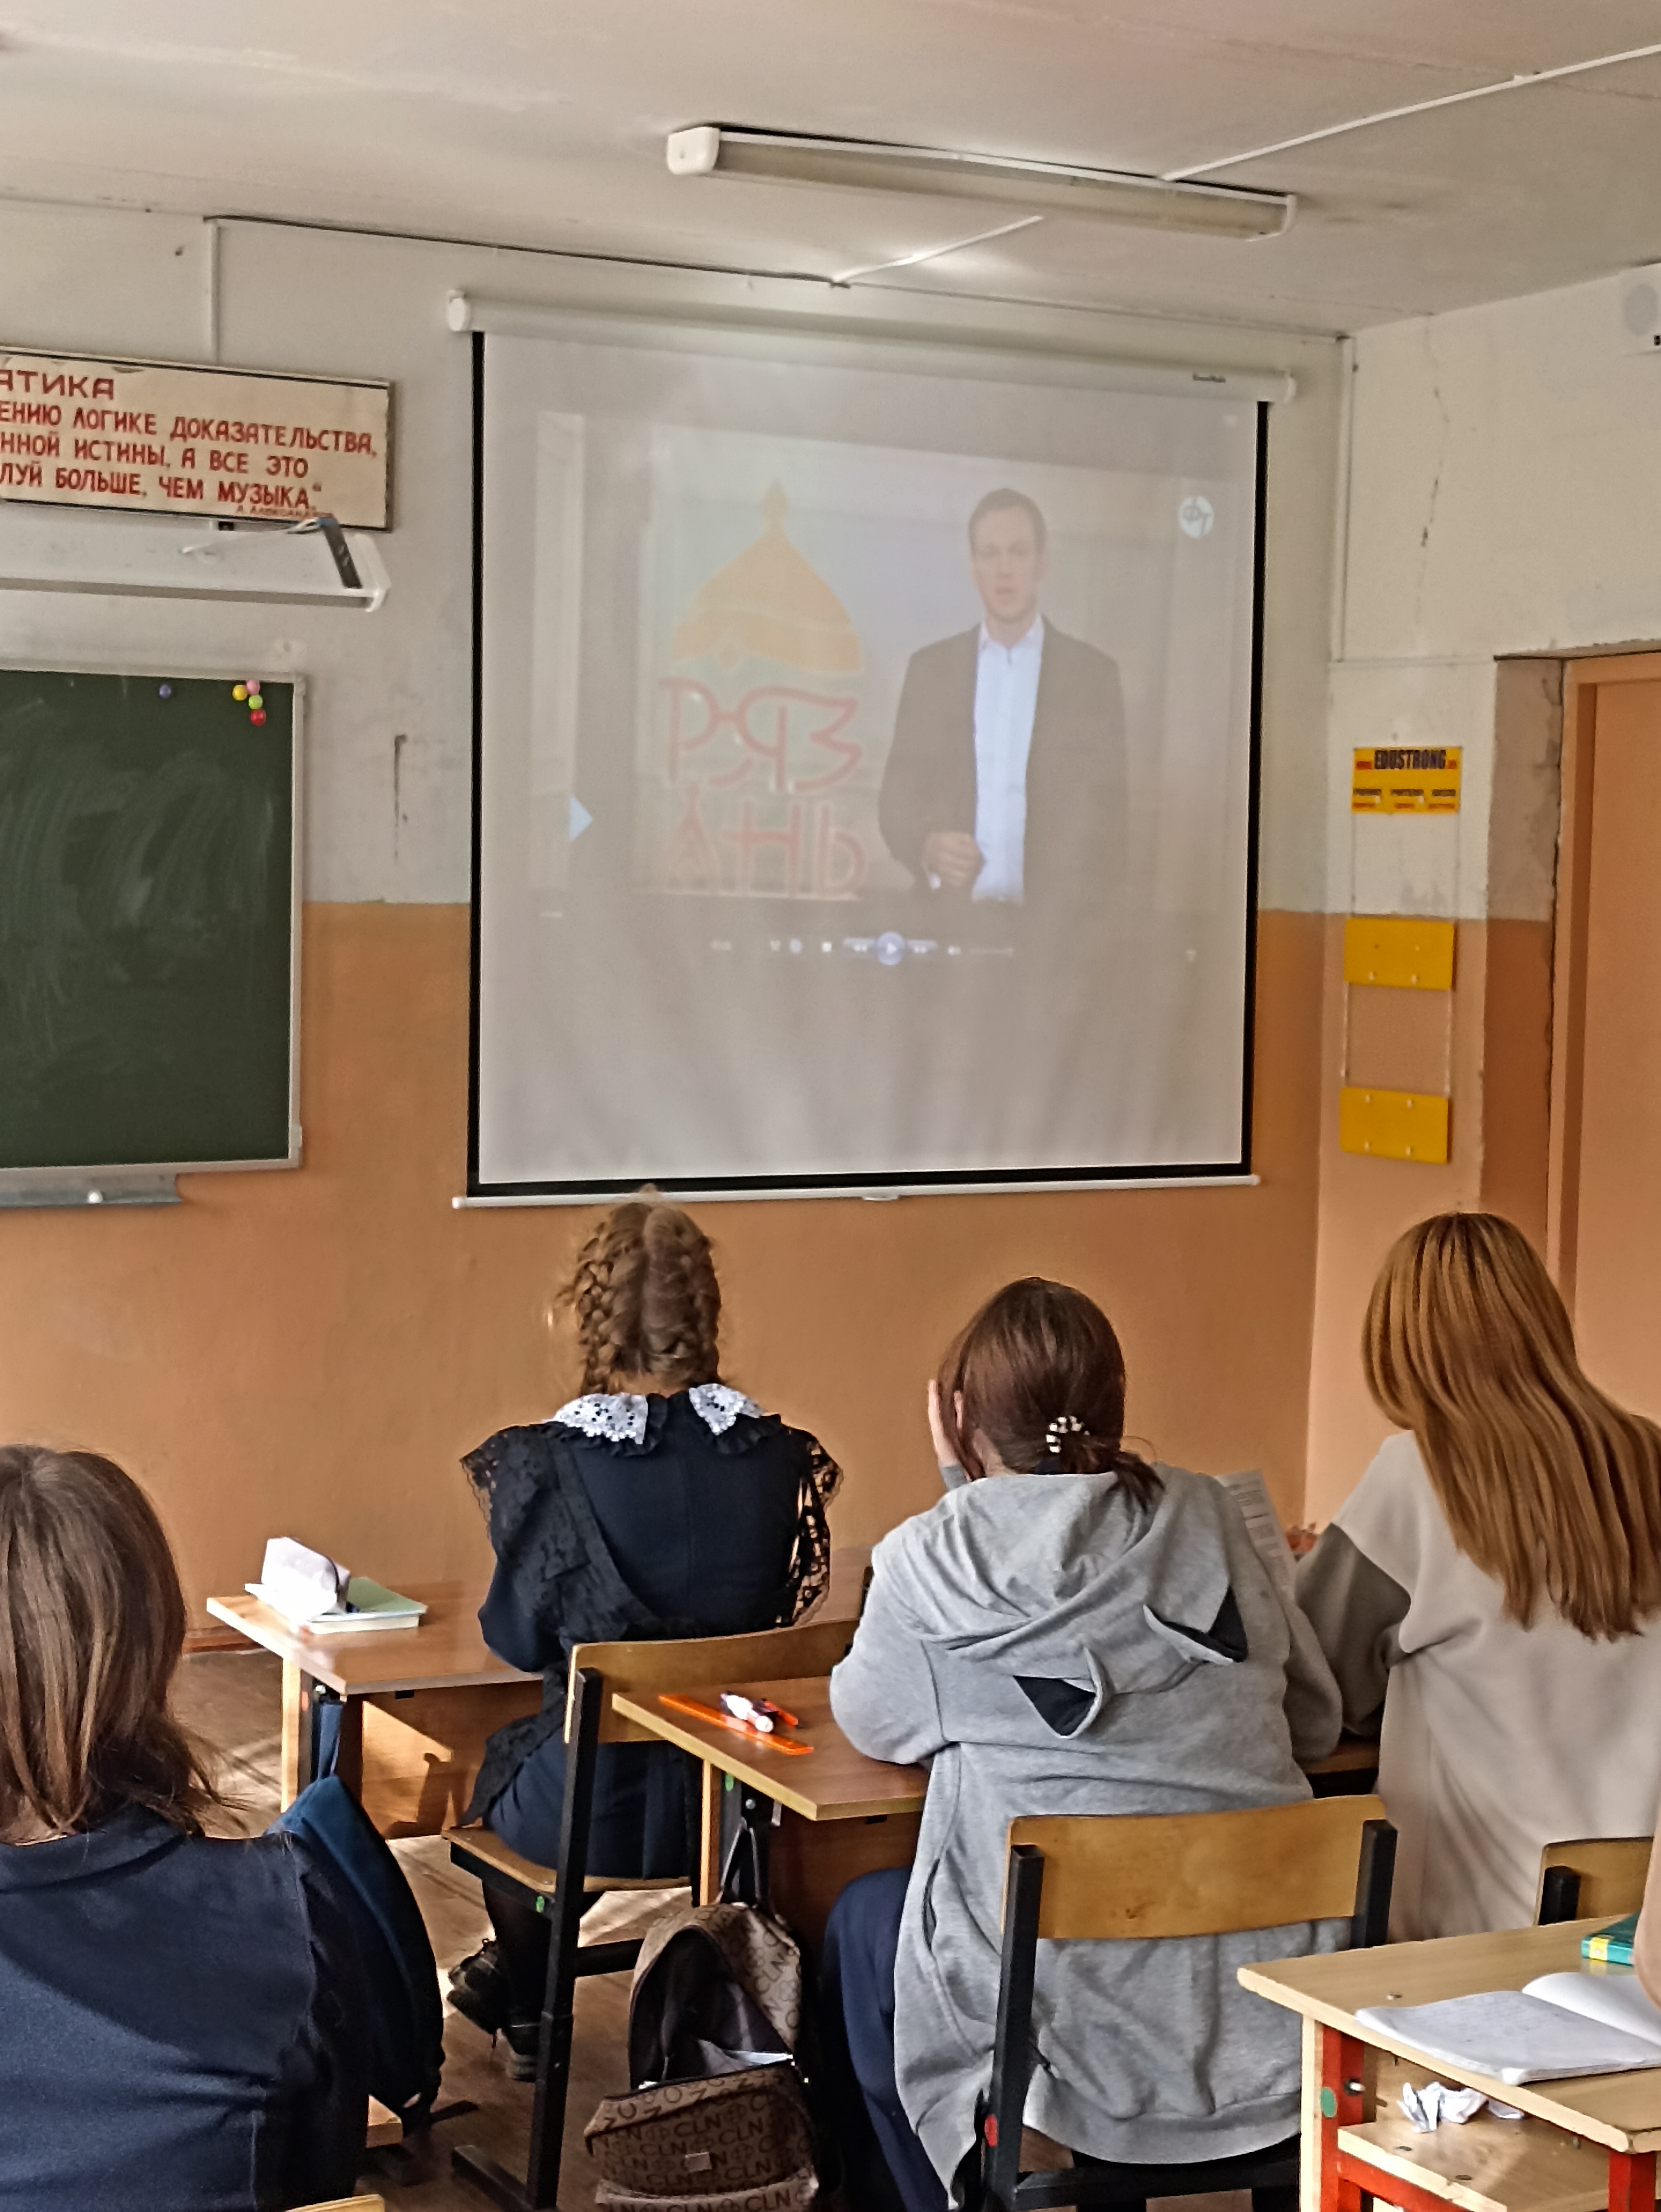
(140, 1180)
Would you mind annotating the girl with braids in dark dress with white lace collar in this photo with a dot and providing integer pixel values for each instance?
(660, 1503)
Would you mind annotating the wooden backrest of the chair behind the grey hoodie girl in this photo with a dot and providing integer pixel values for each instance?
(1116, 1877)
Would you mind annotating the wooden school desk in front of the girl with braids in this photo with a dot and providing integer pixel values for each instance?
(417, 1704)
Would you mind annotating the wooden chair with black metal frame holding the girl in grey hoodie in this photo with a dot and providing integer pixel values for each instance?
(1114, 1879)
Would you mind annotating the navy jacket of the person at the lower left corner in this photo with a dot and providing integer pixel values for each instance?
(182, 2025)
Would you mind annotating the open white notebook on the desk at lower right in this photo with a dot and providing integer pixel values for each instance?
(1558, 2027)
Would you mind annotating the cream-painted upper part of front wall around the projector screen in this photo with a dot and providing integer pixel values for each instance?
(390, 718)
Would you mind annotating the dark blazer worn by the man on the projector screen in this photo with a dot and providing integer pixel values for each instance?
(1076, 773)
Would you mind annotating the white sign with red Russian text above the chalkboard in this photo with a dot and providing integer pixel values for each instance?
(182, 441)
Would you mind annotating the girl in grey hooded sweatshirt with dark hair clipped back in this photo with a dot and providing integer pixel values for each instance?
(1069, 1631)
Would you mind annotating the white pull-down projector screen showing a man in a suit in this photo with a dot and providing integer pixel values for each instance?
(866, 769)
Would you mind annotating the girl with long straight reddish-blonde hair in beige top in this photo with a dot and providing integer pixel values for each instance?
(1492, 1589)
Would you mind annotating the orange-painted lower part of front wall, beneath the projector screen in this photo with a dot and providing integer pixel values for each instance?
(311, 1353)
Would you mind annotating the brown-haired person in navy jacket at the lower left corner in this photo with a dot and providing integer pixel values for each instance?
(182, 2018)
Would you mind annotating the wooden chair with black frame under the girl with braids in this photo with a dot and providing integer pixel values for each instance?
(596, 1673)
